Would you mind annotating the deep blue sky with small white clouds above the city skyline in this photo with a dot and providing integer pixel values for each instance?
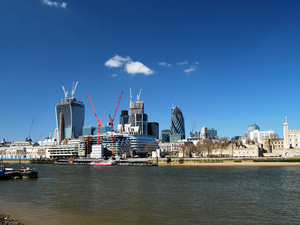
(226, 64)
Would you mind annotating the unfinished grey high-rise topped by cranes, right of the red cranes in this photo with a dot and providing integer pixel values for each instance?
(137, 117)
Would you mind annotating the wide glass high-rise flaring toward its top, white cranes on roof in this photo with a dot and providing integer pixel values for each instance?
(69, 116)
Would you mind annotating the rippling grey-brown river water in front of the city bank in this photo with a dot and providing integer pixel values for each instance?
(81, 194)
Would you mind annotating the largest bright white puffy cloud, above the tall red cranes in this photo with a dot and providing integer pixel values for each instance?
(130, 66)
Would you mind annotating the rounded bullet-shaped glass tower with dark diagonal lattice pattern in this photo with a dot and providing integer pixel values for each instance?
(177, 123)
